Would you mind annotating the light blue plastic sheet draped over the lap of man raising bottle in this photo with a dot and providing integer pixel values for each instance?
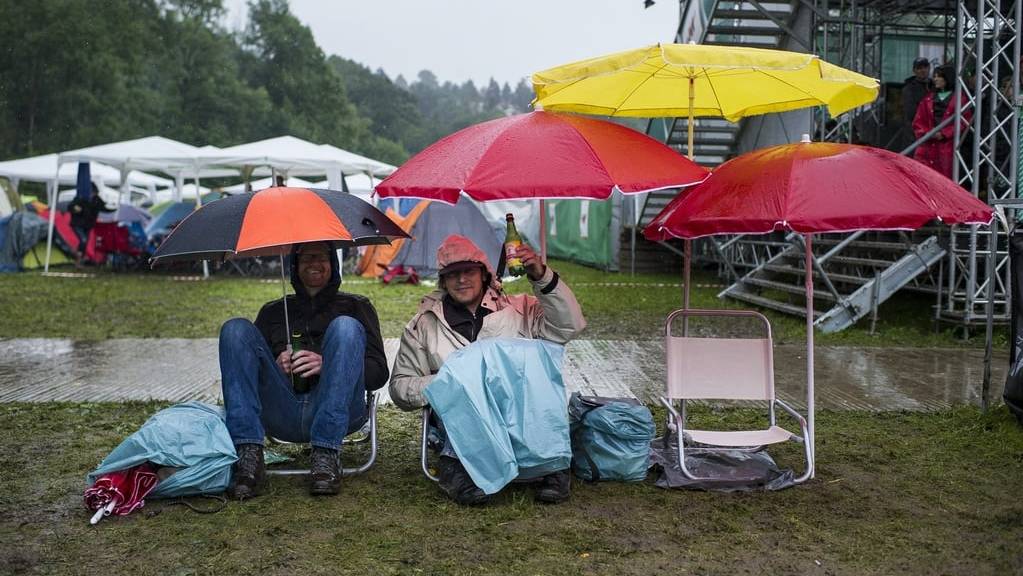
(505, 410)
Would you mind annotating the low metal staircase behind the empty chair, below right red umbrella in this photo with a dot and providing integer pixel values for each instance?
(854, 275)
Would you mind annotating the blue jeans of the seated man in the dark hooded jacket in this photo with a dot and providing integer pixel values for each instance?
(259, 398)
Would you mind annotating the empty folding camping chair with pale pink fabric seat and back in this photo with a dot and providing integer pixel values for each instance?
(725, 369)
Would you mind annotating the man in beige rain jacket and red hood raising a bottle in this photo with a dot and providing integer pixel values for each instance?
(470, 305)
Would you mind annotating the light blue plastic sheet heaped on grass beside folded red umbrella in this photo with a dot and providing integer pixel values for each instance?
(191, 437)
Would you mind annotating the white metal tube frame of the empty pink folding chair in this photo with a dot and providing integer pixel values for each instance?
(677, 418)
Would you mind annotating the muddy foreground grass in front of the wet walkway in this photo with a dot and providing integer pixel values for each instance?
(904, 494)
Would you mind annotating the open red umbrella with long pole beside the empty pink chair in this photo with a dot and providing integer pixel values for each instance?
(810, 189)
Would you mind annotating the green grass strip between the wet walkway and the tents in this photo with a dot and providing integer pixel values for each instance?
(617, 306)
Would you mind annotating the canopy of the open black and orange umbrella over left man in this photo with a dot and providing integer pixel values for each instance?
(272, 221)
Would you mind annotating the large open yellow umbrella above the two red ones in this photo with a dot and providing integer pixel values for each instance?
(693, 80)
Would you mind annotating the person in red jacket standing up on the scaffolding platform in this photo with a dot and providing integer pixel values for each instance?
(936, 108)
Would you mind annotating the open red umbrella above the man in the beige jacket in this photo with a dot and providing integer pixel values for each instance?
(542, 156)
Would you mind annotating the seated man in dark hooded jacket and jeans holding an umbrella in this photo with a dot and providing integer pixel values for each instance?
(341, 358)
